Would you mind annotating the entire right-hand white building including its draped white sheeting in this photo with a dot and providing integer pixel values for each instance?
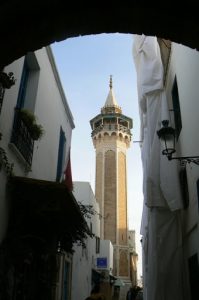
(170, 209)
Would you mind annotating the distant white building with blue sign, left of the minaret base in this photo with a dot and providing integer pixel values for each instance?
(94, 263)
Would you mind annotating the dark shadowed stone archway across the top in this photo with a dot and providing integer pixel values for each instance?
(27, 26)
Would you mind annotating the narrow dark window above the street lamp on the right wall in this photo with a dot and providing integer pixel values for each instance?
(176, 108)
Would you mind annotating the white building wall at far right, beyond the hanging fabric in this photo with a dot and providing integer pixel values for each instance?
(182, 92)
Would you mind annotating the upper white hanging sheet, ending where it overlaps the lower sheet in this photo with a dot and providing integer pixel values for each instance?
(153, 109)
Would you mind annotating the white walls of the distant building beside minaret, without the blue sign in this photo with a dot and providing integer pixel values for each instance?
(84, 260)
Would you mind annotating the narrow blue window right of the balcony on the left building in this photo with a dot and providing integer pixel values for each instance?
(61, 155)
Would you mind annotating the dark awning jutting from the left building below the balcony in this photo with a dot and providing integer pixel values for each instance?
(46, 210)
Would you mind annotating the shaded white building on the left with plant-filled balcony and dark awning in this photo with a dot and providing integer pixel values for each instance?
(39, 216)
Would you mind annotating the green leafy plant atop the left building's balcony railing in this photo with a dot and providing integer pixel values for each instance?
(29, 119)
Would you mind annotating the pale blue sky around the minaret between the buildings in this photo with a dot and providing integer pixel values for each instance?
(85, 65)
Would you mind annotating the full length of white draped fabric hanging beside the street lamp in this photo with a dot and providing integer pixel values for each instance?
(160, 226)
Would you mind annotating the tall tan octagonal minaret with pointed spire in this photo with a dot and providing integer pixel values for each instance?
(111, 135)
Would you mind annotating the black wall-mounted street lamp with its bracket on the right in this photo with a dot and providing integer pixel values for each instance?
(167, 136)
